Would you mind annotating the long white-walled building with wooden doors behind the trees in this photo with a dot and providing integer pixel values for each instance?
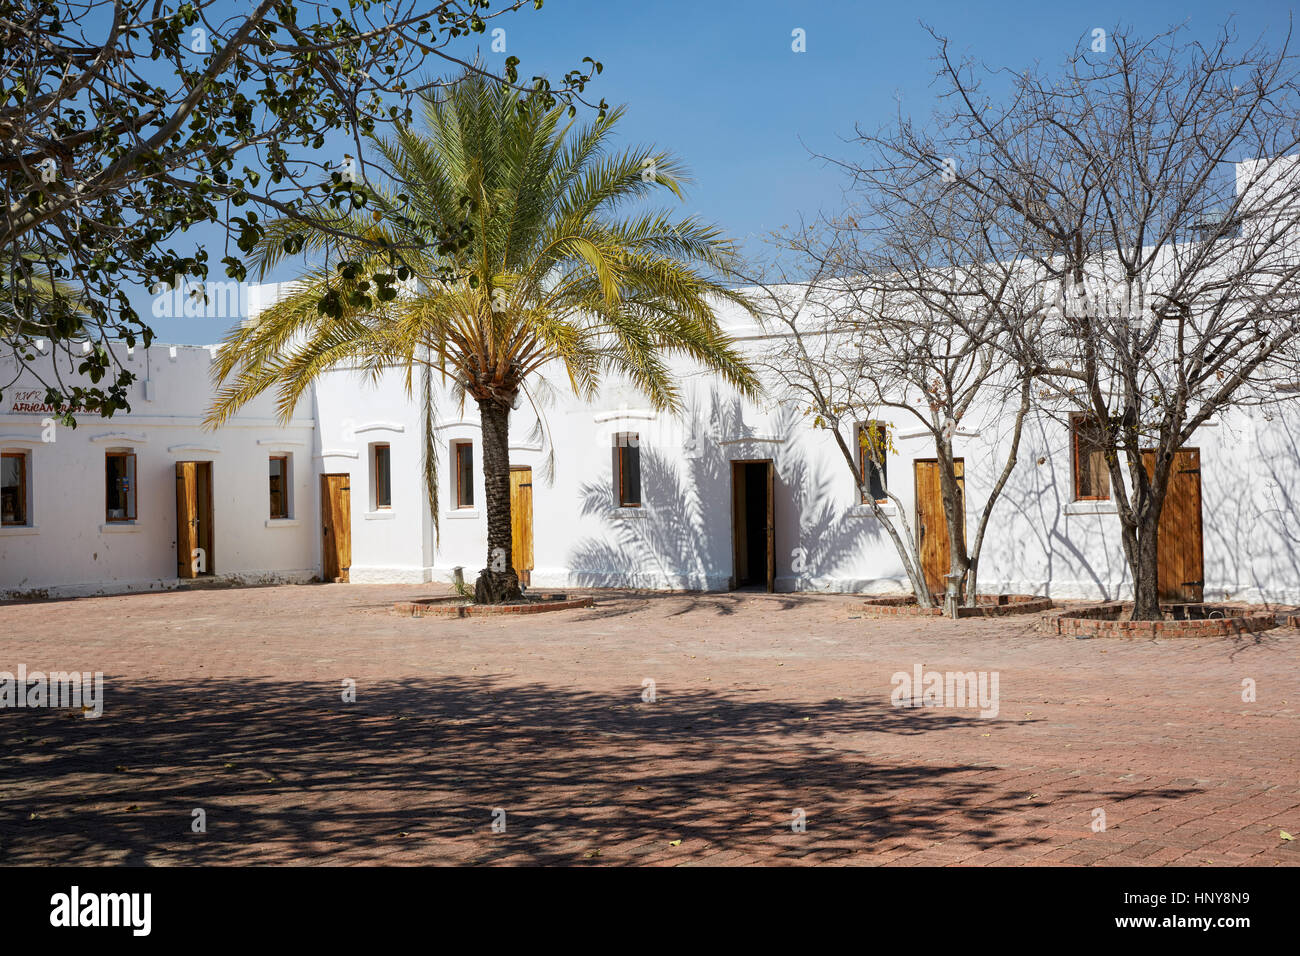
(98, 509)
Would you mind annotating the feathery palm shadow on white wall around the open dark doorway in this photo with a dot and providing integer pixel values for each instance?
(683, 533)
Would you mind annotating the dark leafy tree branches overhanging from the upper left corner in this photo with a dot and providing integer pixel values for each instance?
(125, 123)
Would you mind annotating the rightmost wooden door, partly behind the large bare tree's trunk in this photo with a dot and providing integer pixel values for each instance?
(1181, 559)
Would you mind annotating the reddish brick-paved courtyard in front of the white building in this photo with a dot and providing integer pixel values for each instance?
(232, 702)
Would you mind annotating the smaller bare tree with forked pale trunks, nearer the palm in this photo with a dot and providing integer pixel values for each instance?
(918, 305)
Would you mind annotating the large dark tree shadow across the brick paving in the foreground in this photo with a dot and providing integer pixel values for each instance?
(415, 771)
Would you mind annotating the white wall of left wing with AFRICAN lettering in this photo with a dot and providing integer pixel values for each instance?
(71, 546)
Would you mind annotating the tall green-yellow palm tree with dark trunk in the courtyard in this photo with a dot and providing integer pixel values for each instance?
(552, 275)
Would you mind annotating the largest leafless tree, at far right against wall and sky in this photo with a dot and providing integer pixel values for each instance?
(1159, 183)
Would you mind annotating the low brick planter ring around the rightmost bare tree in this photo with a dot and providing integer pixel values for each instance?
(1181, 621)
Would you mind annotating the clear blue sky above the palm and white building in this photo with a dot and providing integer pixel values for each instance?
(718, 84)
